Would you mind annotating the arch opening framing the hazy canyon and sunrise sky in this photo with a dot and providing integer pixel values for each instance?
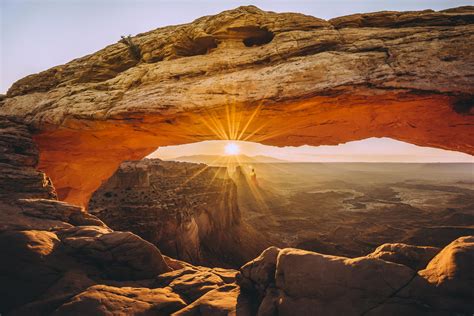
(220, 203)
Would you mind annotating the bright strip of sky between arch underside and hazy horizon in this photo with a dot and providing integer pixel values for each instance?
(367, 150)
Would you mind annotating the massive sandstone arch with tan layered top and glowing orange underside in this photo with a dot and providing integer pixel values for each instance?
(404, 75)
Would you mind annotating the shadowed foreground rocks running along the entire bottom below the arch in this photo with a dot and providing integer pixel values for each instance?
(59, 260)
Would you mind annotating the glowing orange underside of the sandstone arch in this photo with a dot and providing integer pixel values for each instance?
(80, 154)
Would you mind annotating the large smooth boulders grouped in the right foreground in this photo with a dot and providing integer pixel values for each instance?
(299, 282)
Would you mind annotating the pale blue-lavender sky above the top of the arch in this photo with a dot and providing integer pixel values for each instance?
(36, 35)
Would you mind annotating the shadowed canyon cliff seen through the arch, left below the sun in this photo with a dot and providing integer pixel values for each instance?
(188, 210)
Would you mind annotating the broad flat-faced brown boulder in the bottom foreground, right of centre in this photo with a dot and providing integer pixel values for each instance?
(313, 283)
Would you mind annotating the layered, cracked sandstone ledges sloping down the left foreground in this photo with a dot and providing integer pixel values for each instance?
(58, 259)
